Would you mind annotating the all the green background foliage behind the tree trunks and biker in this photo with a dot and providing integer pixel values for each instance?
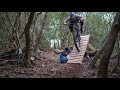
(96, 24)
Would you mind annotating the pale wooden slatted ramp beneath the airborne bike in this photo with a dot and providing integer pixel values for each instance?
(75, 56)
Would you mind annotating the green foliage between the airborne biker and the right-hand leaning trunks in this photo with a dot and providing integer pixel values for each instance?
(97, 24)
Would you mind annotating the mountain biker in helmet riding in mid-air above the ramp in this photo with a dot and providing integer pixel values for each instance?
(72, 18)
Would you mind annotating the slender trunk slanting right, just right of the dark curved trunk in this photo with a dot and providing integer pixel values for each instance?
(38, 39)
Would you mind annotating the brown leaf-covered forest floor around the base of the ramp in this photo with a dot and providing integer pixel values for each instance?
(48, 66)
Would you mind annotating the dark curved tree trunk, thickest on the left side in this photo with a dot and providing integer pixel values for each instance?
(27, 36)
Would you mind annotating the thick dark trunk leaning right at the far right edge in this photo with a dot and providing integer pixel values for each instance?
(103, 69)
